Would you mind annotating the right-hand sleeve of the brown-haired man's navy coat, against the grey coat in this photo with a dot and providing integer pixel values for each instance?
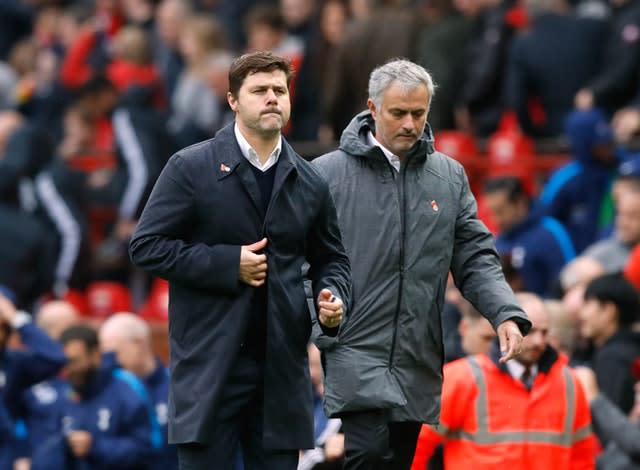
(328, 262)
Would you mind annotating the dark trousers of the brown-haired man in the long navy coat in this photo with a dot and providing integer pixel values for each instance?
(238, 426)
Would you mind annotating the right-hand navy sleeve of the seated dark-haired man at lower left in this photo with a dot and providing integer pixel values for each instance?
(130, 450)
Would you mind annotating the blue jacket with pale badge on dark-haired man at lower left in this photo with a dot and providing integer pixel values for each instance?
(113, 411)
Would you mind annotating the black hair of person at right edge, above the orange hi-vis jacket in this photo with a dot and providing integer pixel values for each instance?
(616, 289)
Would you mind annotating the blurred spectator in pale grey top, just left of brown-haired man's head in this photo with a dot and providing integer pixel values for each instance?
(196, 109)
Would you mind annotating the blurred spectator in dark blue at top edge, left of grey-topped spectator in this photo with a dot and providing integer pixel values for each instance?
(170, 20)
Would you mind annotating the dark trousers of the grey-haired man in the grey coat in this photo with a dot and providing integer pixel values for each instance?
(373, 442)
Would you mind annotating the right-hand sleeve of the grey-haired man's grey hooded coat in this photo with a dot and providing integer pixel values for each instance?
(476, 267)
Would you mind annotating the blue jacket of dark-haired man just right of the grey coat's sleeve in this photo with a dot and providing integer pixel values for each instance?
(539, 247)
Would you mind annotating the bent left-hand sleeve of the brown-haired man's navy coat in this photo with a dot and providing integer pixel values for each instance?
(160, 243)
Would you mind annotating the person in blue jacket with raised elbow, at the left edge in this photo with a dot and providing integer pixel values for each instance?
(40, 359)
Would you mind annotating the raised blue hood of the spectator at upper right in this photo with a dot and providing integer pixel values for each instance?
(585, 129)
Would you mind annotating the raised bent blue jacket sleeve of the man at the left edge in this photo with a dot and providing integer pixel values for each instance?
(42, 359)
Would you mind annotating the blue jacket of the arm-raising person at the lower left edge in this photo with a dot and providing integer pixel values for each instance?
(19, 370)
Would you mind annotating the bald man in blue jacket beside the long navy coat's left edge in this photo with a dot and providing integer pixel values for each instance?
(129, 337)
